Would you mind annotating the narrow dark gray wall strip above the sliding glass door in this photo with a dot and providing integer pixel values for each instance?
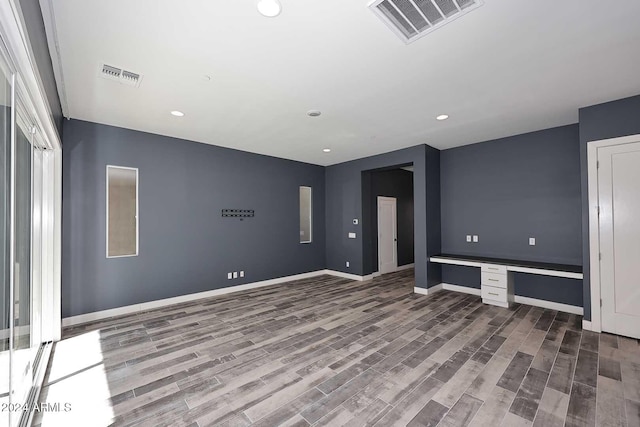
(32, 17)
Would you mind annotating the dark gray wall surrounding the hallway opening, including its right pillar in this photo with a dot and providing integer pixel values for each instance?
(344, 201)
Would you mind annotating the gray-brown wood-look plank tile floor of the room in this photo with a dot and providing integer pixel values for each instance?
(329, 351)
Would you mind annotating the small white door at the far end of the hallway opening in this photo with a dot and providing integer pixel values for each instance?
(387, 235)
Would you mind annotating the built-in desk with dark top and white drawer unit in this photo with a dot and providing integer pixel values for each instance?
(496, 274)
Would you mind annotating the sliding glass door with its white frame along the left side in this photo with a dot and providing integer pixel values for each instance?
(30, 199)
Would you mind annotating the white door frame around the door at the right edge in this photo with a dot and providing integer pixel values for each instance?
(594, 225)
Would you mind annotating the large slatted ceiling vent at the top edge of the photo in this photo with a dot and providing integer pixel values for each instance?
(412, 19)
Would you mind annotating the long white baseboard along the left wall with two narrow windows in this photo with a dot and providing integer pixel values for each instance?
(136, 308)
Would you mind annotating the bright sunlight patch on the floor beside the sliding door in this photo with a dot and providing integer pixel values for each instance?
(77, 390)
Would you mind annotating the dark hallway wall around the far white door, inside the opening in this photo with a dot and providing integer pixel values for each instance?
(395, 183)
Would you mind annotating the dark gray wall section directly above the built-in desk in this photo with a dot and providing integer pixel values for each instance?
(510, 189)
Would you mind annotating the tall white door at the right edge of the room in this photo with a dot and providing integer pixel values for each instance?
(619, 222)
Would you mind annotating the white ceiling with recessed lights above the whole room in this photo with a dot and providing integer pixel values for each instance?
(509, 67)
